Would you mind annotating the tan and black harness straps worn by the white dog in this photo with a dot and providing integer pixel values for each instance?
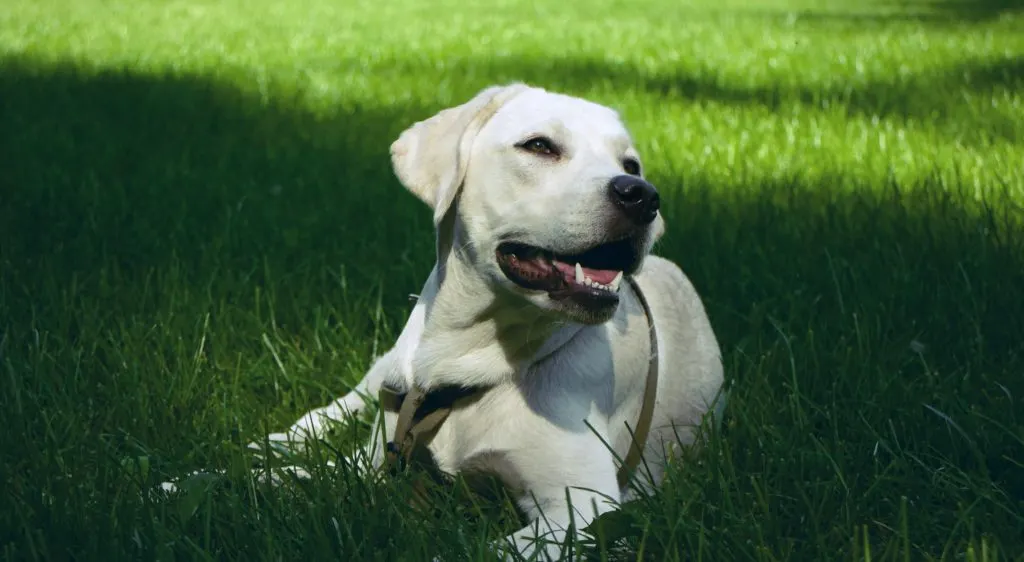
(421, 414)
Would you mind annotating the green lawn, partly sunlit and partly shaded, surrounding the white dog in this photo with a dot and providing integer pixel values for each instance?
(201, 238)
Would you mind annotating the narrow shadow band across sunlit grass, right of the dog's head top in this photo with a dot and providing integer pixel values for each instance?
(932, 101)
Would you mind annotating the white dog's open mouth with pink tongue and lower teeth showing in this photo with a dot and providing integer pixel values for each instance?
(592, 278)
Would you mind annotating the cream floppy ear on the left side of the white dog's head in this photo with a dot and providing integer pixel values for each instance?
(431, 157)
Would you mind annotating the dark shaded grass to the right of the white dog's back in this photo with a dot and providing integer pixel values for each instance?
(881, 329)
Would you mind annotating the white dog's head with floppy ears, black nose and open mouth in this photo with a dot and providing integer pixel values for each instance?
(541, 194)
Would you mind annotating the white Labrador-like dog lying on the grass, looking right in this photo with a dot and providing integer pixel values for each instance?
(546, 294)
